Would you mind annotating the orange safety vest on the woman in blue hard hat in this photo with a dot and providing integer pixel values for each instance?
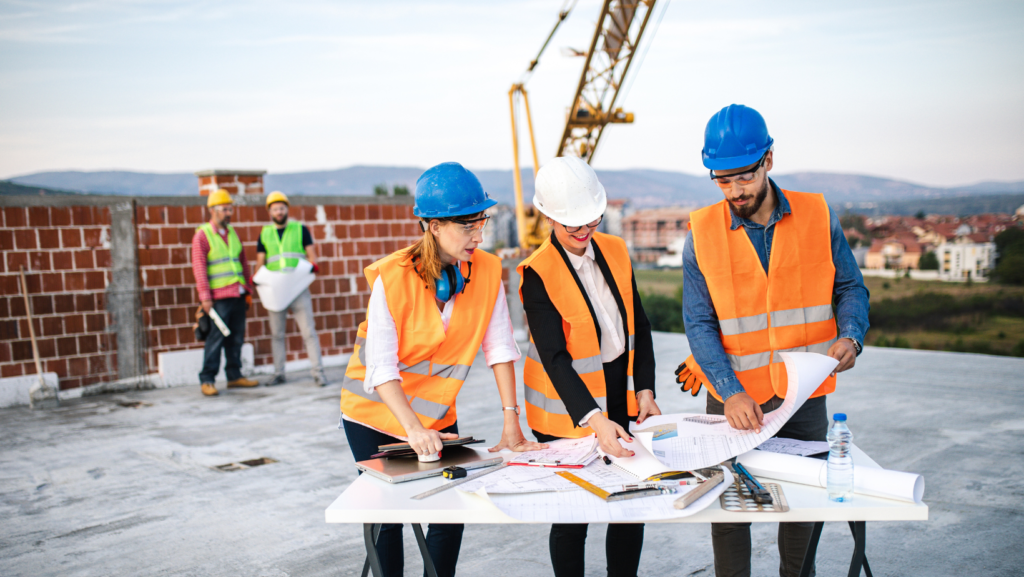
(434, 364)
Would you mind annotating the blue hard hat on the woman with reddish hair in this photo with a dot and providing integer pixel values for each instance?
(449, 190)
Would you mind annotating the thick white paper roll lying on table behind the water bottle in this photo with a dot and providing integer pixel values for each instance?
(870, 481)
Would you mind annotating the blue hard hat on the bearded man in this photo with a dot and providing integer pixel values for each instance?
(736, 138)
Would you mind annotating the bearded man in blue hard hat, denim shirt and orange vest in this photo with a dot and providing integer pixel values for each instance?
(742, 308)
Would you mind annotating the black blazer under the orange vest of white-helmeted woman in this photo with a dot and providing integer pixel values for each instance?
(546, 328)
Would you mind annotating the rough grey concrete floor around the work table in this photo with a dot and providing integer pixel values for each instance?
(95, 488)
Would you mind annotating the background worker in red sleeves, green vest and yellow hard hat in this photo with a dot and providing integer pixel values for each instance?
(221, 270)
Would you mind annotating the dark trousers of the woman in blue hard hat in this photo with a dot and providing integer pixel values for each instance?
(444, 541)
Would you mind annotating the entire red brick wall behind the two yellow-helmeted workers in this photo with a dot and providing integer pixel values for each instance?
(66, 251)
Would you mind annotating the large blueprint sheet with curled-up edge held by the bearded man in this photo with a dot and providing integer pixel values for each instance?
(701, 442)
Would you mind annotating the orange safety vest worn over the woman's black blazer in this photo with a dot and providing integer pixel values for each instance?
(545, 411)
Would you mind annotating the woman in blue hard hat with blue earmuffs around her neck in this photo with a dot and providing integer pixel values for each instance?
(433, 306)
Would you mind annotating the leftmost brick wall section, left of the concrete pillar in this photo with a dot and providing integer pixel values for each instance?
(66, 255)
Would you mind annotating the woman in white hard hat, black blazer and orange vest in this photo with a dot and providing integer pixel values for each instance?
(591, 363)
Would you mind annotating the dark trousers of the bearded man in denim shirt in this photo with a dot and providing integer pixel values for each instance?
(732, 542)
